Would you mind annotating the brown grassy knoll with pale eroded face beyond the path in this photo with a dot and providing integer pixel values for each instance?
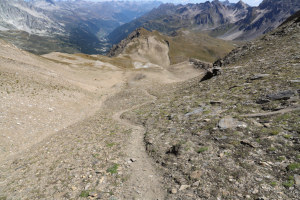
(180, 47)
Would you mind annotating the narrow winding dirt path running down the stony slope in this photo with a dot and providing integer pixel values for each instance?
(145, 182)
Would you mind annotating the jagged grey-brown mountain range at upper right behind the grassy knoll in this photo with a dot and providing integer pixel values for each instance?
(221, 19)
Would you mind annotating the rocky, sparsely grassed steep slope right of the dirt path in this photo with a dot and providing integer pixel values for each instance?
(236, 135)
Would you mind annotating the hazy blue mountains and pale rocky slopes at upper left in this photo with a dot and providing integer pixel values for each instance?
(65, 25)
